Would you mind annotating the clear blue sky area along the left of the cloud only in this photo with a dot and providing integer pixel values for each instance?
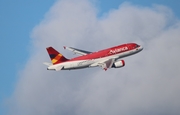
(17, 19)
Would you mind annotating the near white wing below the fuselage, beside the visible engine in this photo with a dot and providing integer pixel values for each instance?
(105, 64)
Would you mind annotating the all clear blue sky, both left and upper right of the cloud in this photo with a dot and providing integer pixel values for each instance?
(17, 19)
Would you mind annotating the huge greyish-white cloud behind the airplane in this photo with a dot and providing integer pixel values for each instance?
(148, 84)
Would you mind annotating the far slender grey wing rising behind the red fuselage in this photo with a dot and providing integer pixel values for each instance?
(77, 51)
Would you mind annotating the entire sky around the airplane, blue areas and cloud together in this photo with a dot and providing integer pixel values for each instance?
(148, 84)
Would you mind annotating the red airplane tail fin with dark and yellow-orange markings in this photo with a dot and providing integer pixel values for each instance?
(55, 56)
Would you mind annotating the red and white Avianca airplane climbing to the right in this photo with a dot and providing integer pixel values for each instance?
(106, 59)
